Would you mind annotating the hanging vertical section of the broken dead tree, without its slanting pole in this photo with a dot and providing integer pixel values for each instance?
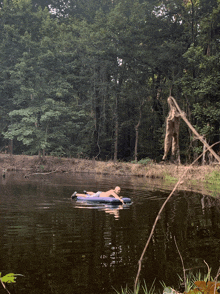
(172, 132)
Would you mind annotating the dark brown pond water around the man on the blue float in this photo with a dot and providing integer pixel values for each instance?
(62, 246)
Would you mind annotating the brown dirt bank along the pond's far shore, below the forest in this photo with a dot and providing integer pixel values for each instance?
(195, 179)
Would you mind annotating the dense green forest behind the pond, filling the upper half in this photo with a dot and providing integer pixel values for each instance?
(91, 78)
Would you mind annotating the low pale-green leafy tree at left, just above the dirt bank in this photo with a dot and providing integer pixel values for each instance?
(47, 128)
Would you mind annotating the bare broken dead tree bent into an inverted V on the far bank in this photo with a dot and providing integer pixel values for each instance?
(172, 130)
